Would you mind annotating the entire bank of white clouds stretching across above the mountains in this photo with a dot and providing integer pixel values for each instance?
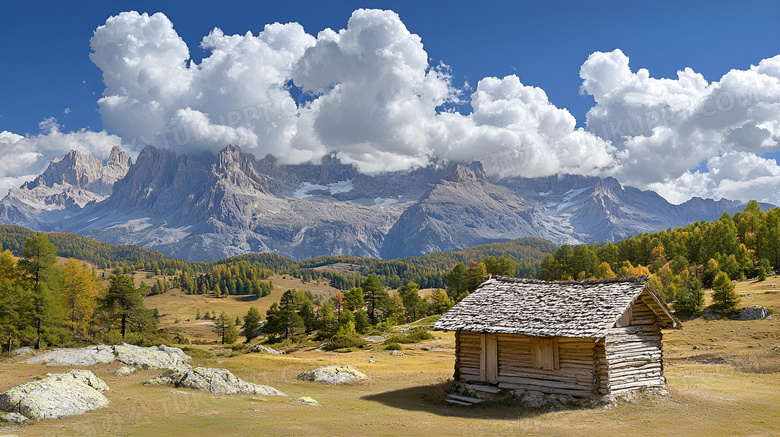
(370, 92)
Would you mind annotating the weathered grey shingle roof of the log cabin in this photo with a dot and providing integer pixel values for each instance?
(584, 309)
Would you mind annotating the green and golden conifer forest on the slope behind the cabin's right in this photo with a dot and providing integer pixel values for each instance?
(684, 260)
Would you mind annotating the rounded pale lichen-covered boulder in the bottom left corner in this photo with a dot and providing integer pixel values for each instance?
(58, 395)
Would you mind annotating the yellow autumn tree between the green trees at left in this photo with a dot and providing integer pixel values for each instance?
(79, 289)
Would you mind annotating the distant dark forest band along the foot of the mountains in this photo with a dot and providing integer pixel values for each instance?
(235, 275)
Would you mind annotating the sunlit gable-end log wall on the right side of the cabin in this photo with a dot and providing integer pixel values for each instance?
(635, 353)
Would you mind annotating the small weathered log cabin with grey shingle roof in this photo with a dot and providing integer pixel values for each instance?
(580, 338)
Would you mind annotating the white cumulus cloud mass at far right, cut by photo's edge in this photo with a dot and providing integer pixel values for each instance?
(663, 129)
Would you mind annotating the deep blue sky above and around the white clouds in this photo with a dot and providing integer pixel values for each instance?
(46, 46)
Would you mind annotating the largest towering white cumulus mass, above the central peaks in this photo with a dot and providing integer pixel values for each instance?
(367, 90)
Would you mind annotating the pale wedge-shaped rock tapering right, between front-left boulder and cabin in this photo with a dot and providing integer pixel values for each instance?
(217, 381)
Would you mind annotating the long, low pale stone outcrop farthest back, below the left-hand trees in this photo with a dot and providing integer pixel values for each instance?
(153, 357)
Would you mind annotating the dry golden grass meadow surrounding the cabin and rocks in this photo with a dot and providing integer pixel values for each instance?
(404, 394)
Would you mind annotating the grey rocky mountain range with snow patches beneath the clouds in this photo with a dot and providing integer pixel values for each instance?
(205, 207)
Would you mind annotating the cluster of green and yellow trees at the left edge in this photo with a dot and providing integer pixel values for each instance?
(45, 304)
